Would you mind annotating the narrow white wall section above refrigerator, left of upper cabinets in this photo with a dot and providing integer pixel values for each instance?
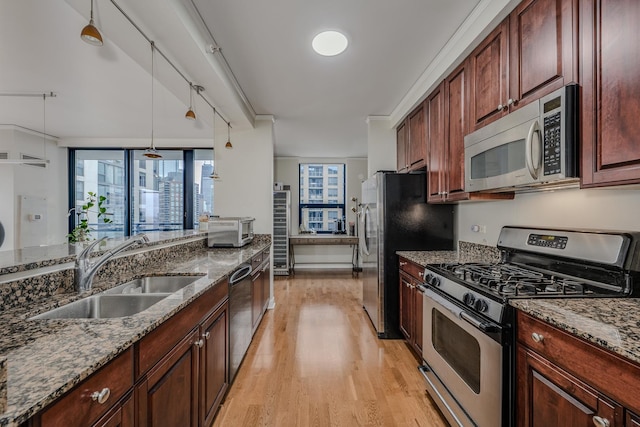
(381, 145)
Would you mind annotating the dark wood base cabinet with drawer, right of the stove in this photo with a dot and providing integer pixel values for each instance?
(564, 380)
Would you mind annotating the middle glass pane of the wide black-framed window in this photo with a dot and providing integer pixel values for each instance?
(158, 205)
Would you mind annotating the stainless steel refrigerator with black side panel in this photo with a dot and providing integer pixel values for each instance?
(395, 216)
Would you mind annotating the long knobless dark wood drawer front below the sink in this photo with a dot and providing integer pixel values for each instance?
(161, 340)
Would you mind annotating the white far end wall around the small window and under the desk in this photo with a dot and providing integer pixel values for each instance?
(287, 172)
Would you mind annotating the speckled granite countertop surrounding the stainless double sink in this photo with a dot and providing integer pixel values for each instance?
(46, 358)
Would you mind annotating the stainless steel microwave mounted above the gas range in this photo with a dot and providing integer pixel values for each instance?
(533, 146)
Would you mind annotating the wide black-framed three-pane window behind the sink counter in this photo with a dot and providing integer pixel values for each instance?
(153, 197)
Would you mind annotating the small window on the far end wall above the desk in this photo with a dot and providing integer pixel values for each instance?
(320, 205)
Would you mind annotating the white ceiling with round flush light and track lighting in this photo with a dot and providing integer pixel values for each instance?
(320, 104)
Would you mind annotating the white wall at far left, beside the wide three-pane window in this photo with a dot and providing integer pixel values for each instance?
(25, 180)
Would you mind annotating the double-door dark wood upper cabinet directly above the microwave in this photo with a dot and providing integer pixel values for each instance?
(529, 55)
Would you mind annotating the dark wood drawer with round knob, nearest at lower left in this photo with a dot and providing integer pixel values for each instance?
(77, 408)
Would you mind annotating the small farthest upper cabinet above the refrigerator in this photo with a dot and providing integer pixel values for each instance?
(411, 141)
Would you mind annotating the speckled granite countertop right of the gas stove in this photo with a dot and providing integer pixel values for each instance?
(611, 323)
